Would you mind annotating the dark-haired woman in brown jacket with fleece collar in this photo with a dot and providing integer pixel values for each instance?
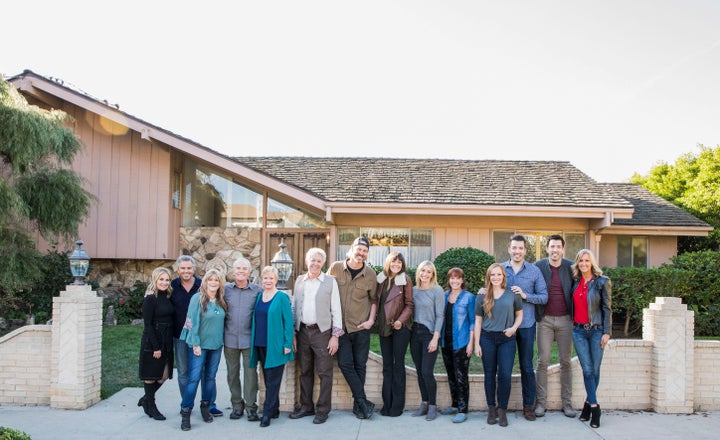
(394, 318)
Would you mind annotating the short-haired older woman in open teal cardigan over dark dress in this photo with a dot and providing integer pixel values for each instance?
(272, 336)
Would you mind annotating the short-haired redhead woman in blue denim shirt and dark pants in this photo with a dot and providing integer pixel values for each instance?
(456, 340)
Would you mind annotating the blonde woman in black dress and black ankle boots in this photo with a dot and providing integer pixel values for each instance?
(156, 345)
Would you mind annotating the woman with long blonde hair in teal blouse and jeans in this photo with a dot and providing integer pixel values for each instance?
(203, 332)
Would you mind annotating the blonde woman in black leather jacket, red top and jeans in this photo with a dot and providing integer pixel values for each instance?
(592, 326)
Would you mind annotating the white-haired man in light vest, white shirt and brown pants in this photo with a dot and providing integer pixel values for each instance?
(318, 325)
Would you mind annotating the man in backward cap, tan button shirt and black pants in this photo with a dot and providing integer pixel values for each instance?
(358, 301)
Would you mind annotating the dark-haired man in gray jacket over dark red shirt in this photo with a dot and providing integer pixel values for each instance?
(554, 323)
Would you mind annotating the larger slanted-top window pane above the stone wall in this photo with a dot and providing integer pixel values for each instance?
(214, 199)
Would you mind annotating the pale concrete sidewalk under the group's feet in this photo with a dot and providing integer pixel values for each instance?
(119, 417)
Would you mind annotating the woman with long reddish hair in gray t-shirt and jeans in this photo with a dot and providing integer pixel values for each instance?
(498, 314)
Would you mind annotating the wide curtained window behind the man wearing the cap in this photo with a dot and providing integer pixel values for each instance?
(414, 244)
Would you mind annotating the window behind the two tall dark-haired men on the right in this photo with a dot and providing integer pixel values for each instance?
(536, 244)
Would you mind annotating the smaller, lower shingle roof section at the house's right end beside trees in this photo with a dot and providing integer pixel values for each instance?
(651, 209)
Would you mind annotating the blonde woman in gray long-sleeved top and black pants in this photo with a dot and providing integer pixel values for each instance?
(429, 300)
